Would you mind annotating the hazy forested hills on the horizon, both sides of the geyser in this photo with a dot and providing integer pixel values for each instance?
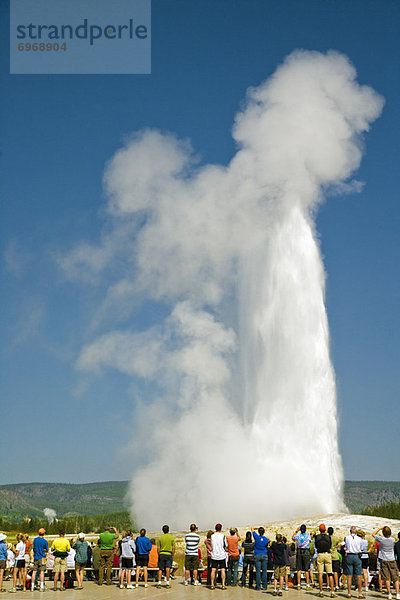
(21, 500)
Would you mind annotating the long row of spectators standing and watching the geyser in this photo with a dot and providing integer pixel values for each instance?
(229, 560)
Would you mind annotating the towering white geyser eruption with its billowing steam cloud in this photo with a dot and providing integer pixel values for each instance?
(243, 424)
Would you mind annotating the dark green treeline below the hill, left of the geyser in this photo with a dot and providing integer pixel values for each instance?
(72, 524)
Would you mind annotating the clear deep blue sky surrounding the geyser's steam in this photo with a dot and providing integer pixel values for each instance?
(58, 132)
